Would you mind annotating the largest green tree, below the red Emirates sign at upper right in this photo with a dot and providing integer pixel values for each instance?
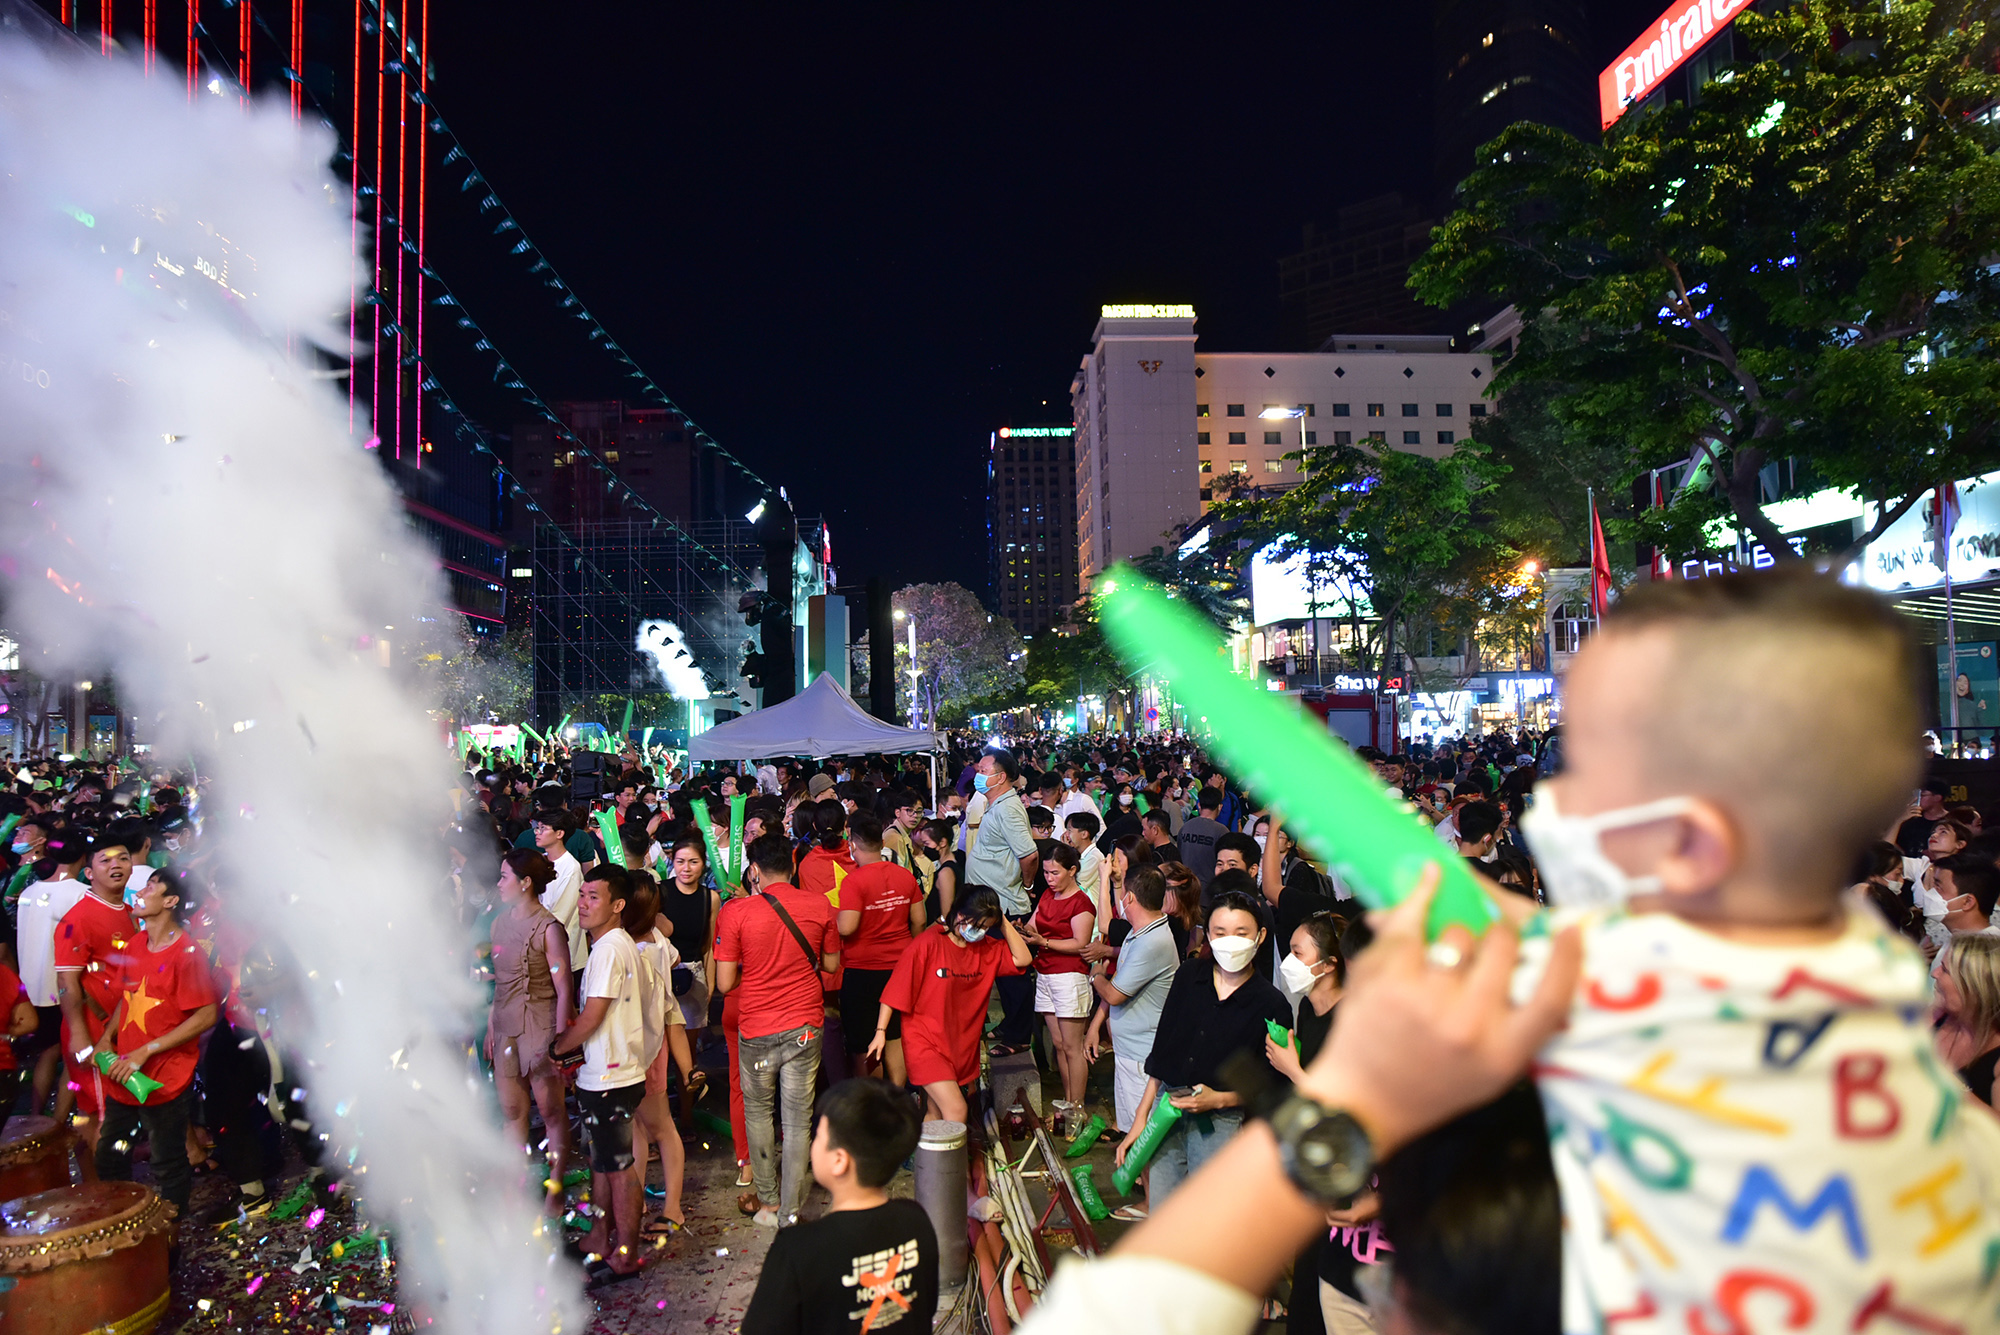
(1793, 267)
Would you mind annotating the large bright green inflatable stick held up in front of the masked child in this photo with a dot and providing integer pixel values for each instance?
(1289, 758)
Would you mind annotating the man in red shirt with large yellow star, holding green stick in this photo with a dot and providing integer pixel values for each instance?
(167, 1002)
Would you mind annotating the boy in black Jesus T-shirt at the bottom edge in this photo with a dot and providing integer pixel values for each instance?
(871, 1264)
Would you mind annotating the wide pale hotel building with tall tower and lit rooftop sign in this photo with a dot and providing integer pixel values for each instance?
(1163, 429)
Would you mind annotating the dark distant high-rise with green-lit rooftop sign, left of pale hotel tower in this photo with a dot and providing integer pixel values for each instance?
(1031, 525)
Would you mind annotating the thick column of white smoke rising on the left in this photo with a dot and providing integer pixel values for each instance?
(187, 507)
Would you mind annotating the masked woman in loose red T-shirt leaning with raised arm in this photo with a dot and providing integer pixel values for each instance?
(941, 988)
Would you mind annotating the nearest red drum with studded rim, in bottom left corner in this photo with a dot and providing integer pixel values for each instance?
(85, 1260)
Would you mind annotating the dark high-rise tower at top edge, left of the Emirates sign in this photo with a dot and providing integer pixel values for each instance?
(1497, 63)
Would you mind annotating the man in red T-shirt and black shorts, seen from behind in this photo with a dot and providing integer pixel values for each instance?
(881, 910)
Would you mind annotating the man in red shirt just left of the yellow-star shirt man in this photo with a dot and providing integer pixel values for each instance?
(93, 942)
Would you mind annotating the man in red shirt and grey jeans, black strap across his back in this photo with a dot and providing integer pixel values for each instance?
(771, 950)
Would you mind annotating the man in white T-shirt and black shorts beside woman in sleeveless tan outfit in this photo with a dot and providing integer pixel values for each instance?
(611, 1030)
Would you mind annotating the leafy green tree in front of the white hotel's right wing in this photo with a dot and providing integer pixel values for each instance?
(1405, 533)
